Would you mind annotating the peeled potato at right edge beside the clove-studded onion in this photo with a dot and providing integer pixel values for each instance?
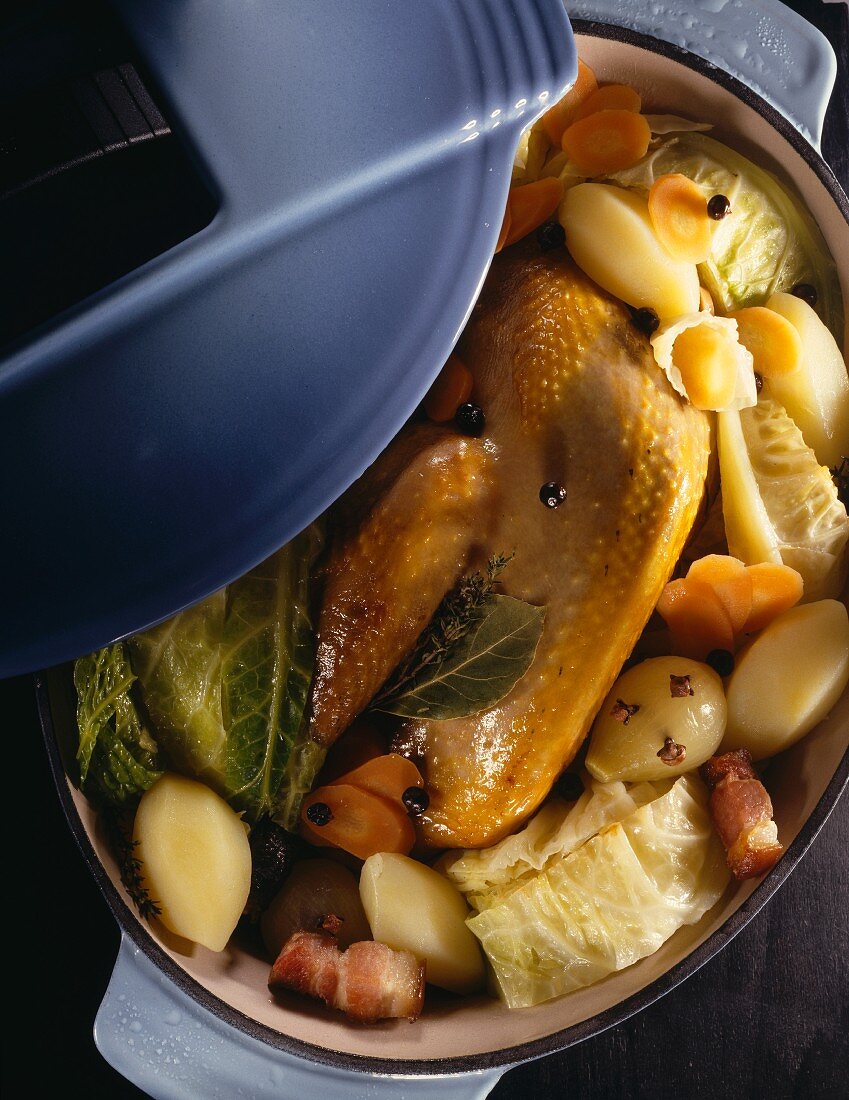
(789, 679)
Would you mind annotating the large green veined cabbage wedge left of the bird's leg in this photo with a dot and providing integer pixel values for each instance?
(226, 685)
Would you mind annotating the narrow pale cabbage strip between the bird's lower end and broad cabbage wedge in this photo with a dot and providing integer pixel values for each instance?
(487, 876)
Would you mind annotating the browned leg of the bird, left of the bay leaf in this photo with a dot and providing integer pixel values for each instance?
(403, 537)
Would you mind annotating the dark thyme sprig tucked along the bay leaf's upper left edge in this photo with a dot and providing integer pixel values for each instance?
(451, 622)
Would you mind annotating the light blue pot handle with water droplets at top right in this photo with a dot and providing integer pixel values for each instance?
(763, 43)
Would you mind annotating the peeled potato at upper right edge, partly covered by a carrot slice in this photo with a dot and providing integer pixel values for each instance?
(817, 395)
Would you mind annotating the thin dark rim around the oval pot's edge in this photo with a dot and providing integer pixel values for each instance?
(594, 1026)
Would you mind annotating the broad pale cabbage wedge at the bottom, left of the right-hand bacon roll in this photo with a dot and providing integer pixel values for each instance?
(615, 900)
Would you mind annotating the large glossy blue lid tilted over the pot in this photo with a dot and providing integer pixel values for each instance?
(179, 426)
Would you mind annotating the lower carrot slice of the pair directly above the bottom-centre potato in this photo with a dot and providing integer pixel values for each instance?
(357, 821)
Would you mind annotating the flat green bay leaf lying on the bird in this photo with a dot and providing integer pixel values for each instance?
(479, 670)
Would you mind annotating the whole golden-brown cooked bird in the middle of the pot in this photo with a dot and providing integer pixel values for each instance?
(572, 395)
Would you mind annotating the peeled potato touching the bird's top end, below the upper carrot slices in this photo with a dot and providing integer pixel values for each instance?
(611, 237)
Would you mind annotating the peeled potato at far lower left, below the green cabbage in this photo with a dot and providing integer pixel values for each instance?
(196, 860)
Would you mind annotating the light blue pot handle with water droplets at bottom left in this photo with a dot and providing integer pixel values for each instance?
(166, 1043)
